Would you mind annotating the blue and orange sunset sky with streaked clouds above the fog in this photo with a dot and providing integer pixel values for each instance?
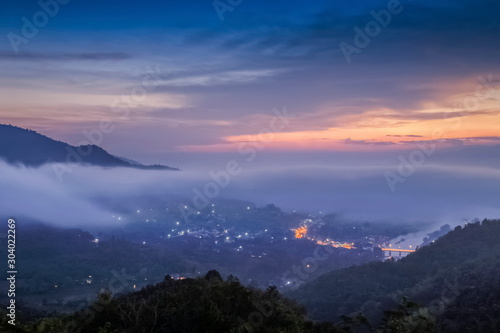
(197, 77)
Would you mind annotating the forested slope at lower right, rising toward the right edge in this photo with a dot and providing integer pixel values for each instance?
(456, 278)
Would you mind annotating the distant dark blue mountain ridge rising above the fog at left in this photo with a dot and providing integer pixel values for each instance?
(23, 146)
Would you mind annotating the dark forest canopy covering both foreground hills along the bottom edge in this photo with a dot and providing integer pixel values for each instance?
(450, 285)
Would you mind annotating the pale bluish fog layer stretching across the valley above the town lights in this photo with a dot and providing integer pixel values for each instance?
(445, 187)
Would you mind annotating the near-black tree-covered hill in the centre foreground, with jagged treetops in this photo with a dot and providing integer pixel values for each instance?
(206, 304)
